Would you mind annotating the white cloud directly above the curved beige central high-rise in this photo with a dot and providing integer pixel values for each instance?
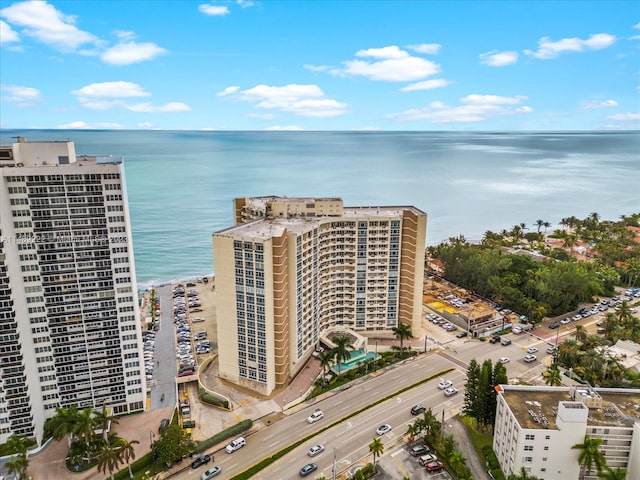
(302, 100)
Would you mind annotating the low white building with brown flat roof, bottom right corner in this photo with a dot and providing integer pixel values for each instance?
(538, 427)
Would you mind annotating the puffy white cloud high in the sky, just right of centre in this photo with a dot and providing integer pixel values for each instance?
(390, 64)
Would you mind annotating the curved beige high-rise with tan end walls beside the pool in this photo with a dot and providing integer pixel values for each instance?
(292, 268)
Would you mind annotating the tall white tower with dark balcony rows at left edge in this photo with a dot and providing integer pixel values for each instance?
(69, 330)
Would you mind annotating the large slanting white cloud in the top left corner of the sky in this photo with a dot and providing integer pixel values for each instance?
(43, 22)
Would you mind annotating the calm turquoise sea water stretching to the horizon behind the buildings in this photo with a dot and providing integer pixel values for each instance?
(181, 184)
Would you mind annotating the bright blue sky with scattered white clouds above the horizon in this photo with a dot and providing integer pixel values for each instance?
(320, 65)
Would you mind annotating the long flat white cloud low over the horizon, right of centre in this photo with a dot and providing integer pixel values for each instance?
(473, 108)
